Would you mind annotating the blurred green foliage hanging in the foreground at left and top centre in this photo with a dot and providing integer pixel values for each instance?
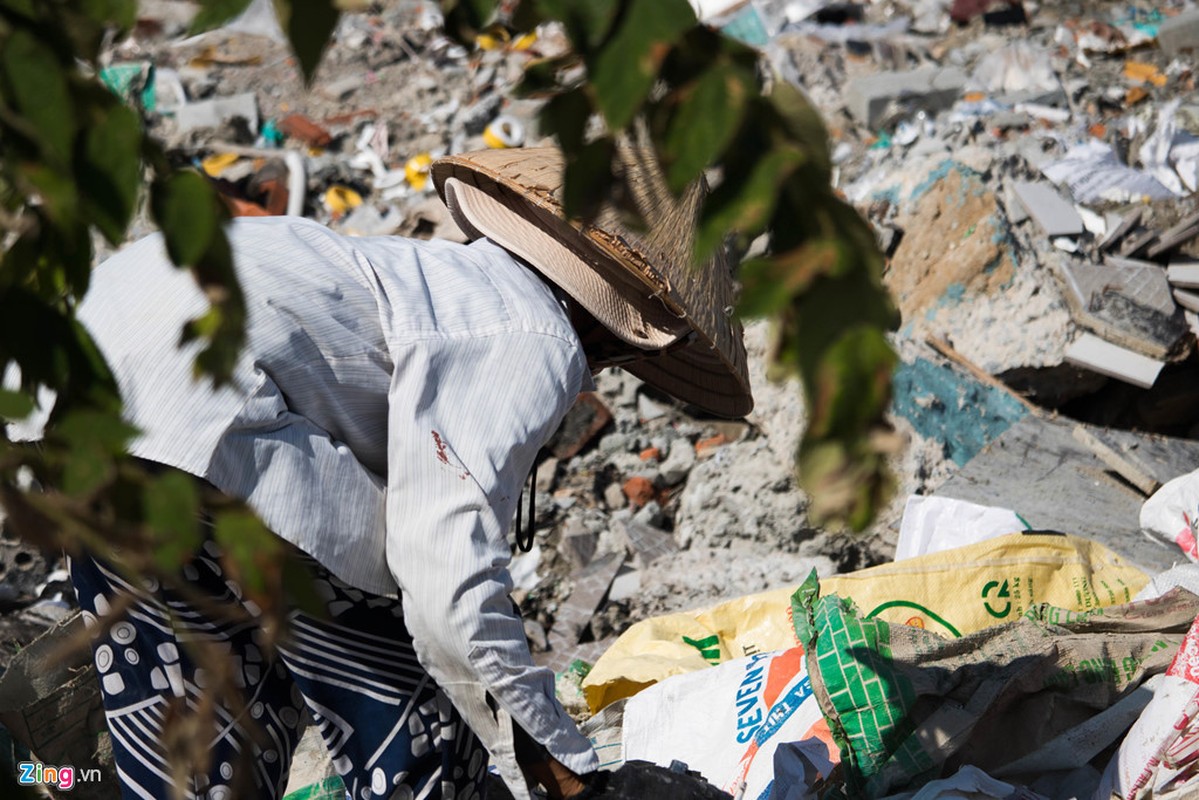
(76, 160)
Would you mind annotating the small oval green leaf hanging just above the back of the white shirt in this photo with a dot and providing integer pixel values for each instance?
(185, 208)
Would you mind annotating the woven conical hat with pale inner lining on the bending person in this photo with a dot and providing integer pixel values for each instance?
(640, 285)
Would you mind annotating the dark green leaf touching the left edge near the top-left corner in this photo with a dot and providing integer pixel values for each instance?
(38, 83)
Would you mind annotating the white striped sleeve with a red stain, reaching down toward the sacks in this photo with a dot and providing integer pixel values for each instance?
(467, 418)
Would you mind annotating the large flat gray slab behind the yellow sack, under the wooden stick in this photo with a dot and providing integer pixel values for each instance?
(1040, 471)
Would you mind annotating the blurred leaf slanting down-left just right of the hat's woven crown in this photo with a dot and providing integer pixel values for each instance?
(744, 202)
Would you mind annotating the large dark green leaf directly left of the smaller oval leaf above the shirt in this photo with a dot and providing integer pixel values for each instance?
(110, 171)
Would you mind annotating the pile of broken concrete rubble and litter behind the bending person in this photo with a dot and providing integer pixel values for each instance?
(1029, 170)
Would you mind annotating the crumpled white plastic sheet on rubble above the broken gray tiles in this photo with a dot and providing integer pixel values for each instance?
(1094, 173)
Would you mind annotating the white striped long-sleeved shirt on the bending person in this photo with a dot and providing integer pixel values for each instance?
(385, 413)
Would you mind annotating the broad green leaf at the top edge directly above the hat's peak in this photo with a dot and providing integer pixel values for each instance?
(624, 70)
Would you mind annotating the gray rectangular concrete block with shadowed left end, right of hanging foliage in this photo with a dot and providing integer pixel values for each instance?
(931, 89)
